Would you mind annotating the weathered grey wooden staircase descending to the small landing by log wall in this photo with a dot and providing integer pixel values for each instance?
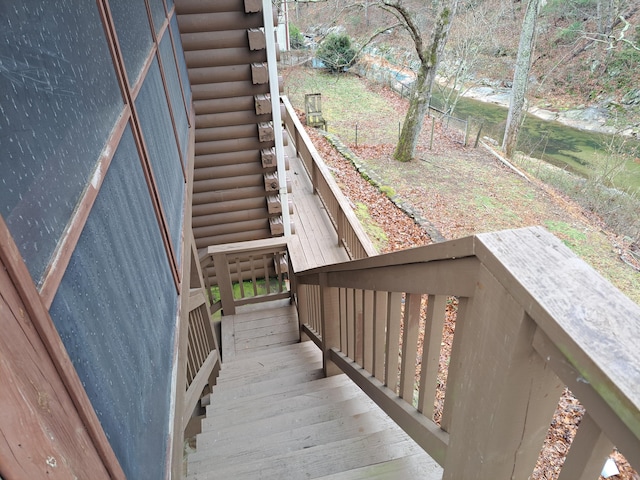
(274, 415)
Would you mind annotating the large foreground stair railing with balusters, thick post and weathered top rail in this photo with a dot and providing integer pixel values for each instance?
(530, 318)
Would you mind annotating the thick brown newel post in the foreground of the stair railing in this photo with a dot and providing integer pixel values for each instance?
(503, 394)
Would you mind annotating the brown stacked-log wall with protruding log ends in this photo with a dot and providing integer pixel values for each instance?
(226, 58)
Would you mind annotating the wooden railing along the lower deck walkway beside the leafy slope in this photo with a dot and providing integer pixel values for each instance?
(351, 235)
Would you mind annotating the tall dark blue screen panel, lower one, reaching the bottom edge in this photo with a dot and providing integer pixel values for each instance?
(116, 312)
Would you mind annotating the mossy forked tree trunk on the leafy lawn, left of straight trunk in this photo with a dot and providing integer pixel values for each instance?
(429, 60)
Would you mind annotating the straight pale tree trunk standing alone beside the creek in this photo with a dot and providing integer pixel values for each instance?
(520, 78)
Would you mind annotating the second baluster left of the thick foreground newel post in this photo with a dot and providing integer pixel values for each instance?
(410, 330)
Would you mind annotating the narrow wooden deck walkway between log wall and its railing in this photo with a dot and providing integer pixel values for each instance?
(318, 238)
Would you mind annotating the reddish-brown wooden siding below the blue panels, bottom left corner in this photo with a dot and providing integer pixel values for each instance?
(48, 427)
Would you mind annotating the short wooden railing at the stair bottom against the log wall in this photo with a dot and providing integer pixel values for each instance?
(246, 272)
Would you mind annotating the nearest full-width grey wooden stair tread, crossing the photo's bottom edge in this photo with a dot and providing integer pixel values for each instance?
(316, 461)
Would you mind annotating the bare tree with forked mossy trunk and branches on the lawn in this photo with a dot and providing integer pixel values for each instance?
(429, 48)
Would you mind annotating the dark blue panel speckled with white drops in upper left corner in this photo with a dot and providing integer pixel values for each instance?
(59, 100)
